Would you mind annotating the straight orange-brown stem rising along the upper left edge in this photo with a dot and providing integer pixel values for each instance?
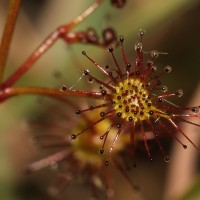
(13, 10)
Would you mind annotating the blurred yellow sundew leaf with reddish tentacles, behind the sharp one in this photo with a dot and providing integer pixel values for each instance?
(75, 160)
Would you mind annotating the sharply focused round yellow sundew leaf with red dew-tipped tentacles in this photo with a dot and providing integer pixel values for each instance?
(133, 98)
